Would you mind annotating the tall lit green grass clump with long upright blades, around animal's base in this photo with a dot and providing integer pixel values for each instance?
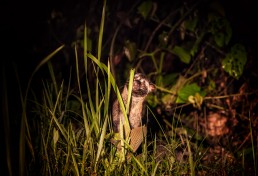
(73, 132)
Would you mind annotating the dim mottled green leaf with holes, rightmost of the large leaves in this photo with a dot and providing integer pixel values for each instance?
(235, 61)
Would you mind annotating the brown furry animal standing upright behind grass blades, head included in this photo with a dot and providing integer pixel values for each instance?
(141, 88)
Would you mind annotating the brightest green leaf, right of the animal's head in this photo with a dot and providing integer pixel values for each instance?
(188, 90)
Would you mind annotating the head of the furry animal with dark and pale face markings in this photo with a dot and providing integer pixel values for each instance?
(141, 86)
